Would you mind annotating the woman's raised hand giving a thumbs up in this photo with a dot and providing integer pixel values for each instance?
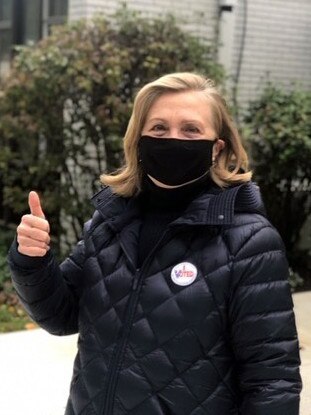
(33, 233)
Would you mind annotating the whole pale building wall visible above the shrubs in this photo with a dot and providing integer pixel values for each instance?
(276, 35)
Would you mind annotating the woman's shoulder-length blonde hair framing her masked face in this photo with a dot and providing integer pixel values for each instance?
(232, 162)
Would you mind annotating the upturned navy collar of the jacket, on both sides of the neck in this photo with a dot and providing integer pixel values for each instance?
(207, 209)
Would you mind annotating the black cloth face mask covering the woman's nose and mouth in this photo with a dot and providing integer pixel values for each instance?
(174, 162)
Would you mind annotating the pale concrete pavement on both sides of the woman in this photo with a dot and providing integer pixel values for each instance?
(35, 367)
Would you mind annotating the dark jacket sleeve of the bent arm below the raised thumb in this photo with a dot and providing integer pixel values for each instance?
(48, 291)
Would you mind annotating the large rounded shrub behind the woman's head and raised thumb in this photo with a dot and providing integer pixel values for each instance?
(66, 104)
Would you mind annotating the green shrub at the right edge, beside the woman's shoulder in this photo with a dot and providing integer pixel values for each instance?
(279, 134)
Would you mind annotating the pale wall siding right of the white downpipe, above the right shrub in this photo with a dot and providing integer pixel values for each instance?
(277, 45)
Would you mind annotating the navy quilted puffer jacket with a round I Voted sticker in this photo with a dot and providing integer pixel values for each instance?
(204, 327)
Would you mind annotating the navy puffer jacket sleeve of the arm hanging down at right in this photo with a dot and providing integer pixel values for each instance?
(263, 330)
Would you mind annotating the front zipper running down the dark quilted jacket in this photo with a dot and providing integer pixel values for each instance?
(117, 357)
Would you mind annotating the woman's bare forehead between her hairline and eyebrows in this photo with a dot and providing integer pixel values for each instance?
(191, 104)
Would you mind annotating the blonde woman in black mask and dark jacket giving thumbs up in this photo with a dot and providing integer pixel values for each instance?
(179, 287)
